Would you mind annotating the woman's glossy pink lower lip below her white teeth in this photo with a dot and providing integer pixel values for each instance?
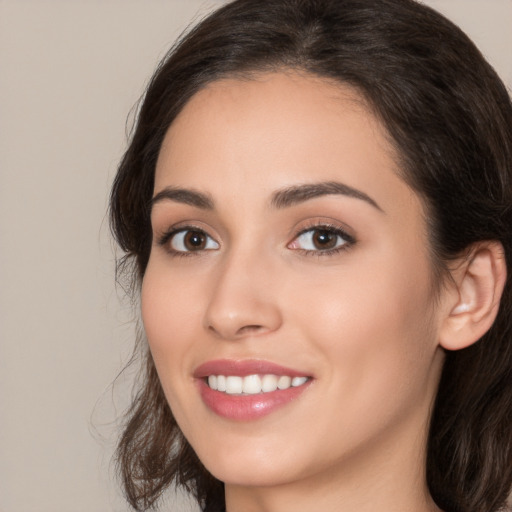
(248, 407)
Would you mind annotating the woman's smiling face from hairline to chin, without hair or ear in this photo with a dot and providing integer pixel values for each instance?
(287, 252)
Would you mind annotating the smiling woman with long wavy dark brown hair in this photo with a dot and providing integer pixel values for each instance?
(317, 204)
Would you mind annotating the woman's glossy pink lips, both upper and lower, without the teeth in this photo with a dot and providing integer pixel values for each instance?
(246, 407)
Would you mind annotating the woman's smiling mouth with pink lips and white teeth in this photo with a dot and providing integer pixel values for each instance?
(250, 389)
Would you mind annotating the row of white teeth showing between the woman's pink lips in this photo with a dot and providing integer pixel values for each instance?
(253, 384)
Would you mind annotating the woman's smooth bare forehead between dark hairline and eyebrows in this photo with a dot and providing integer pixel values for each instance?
(275, 130)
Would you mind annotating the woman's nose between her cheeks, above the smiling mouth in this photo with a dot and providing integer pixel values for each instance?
(244, 300)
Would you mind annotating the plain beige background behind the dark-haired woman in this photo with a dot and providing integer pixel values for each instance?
(70, 71)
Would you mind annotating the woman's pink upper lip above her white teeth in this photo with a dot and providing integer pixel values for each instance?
(242, 368)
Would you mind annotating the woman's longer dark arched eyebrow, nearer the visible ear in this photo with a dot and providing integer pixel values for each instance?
(300, 193)
